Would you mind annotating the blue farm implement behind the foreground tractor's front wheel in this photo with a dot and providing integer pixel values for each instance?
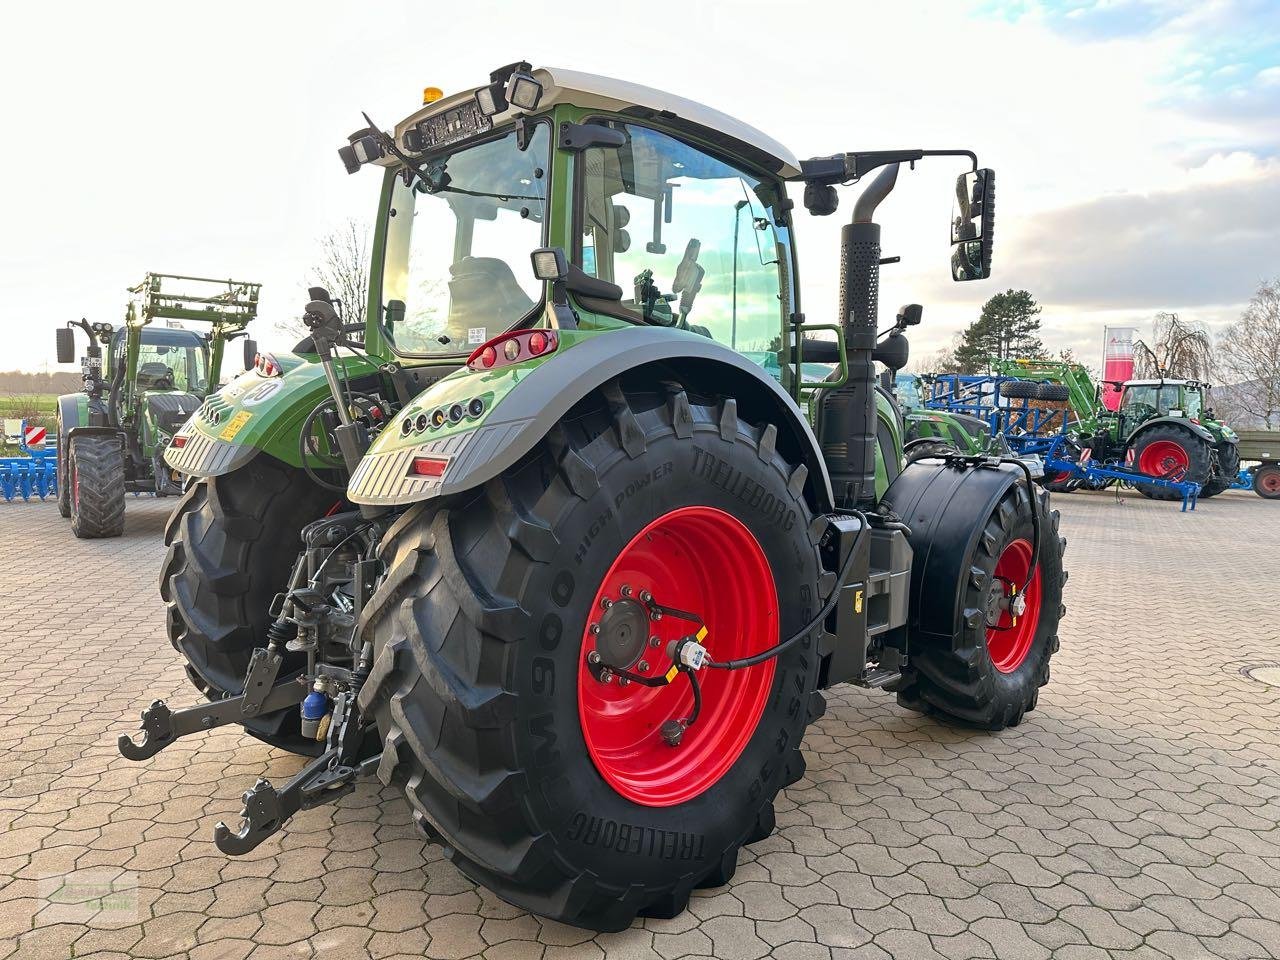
(1036, 420)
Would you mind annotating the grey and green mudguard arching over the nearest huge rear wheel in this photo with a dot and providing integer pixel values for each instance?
(525, 401)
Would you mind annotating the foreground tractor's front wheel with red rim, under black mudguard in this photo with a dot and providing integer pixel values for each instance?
(990, 671)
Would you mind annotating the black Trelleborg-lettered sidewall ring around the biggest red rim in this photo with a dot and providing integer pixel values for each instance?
(592, 822)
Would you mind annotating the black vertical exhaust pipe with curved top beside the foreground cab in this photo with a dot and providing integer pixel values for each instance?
(848, 428)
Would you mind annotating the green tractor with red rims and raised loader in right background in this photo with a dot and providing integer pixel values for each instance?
(1162, 427)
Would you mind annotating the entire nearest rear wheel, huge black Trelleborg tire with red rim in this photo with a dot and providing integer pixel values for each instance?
(516, 758)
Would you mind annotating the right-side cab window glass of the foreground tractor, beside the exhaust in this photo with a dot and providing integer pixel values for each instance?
(693, 241)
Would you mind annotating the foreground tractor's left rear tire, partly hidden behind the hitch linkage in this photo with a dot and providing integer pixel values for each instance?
(232, 543)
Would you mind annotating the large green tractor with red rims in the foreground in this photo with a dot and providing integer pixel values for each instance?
(546, 536)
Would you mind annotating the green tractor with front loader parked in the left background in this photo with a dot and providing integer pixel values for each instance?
(112, 436)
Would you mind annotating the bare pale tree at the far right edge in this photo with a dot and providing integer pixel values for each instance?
(1250, 356)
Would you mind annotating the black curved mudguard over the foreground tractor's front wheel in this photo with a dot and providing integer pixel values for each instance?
(947, 508)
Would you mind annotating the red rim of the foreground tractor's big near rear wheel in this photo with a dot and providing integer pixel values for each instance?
(703, 561)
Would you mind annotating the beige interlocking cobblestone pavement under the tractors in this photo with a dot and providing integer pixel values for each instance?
(1135, 813)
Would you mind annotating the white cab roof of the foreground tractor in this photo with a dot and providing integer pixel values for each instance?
(588, 90)
